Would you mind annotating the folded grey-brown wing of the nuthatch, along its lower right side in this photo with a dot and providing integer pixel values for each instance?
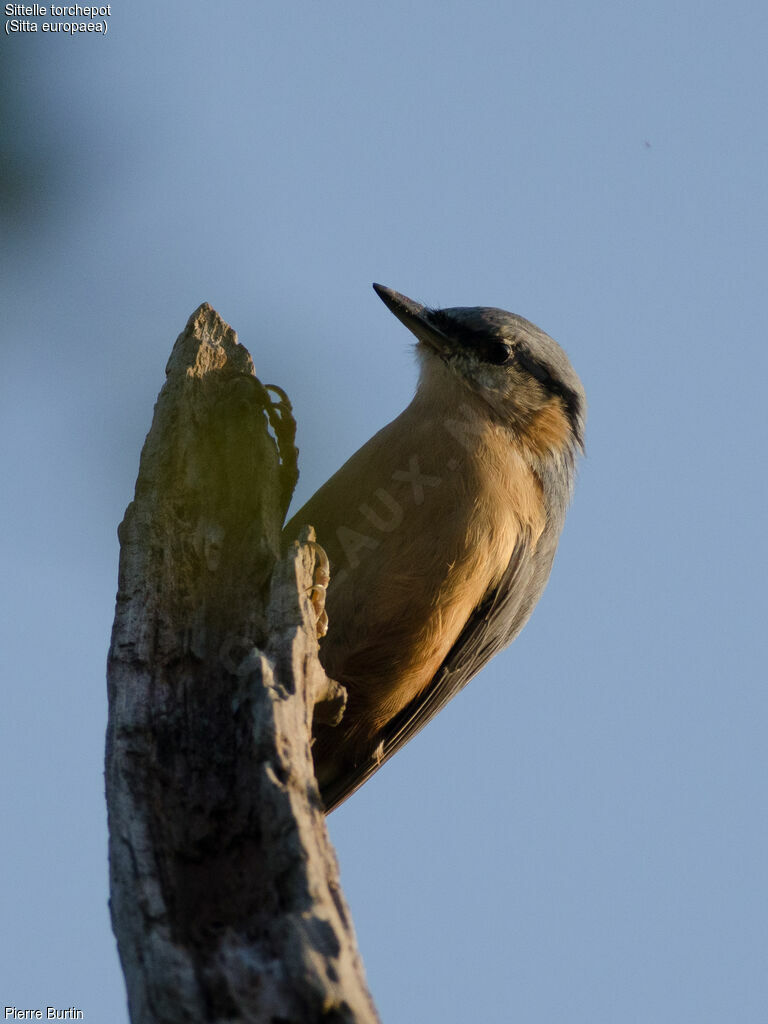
(496, 621)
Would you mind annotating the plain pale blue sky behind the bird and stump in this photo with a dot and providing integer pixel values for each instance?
(581, 835)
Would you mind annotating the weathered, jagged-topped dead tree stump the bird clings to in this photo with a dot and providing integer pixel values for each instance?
(226, 900)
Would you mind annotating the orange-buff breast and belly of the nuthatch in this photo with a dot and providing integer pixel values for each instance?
(410, 567)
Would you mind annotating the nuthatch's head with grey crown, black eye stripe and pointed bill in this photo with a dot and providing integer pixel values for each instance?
(521, 373)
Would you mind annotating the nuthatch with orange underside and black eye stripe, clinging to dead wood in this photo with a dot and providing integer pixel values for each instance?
(442, 530)
